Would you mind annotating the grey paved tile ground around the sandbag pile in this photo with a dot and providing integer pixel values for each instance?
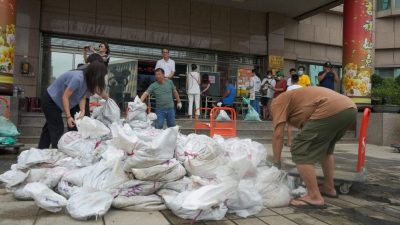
(377, 202)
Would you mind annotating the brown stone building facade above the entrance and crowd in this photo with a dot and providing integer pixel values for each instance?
(221, 38)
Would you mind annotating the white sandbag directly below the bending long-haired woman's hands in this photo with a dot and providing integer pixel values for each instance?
(91, 128)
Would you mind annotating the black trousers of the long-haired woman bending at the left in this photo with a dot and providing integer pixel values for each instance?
(53, 129)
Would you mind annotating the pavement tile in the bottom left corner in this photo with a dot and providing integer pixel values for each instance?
(18, 213)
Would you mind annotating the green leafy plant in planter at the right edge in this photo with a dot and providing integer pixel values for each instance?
(385, 94)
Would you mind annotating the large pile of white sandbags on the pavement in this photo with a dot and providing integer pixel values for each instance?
(109, 162)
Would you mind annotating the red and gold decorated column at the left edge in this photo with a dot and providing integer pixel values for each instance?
(7, 44)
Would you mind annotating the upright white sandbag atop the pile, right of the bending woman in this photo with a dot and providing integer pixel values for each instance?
(109, 113)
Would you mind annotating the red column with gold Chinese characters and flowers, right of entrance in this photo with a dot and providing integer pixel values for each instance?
(358, 49)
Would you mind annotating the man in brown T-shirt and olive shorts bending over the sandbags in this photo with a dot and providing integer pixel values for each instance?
(323, 119)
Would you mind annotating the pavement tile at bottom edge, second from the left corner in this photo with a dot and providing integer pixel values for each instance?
(48, 218)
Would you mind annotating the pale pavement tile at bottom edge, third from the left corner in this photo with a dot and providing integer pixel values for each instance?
(119, 217)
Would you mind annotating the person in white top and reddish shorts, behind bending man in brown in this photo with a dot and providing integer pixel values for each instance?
(267, 93)
